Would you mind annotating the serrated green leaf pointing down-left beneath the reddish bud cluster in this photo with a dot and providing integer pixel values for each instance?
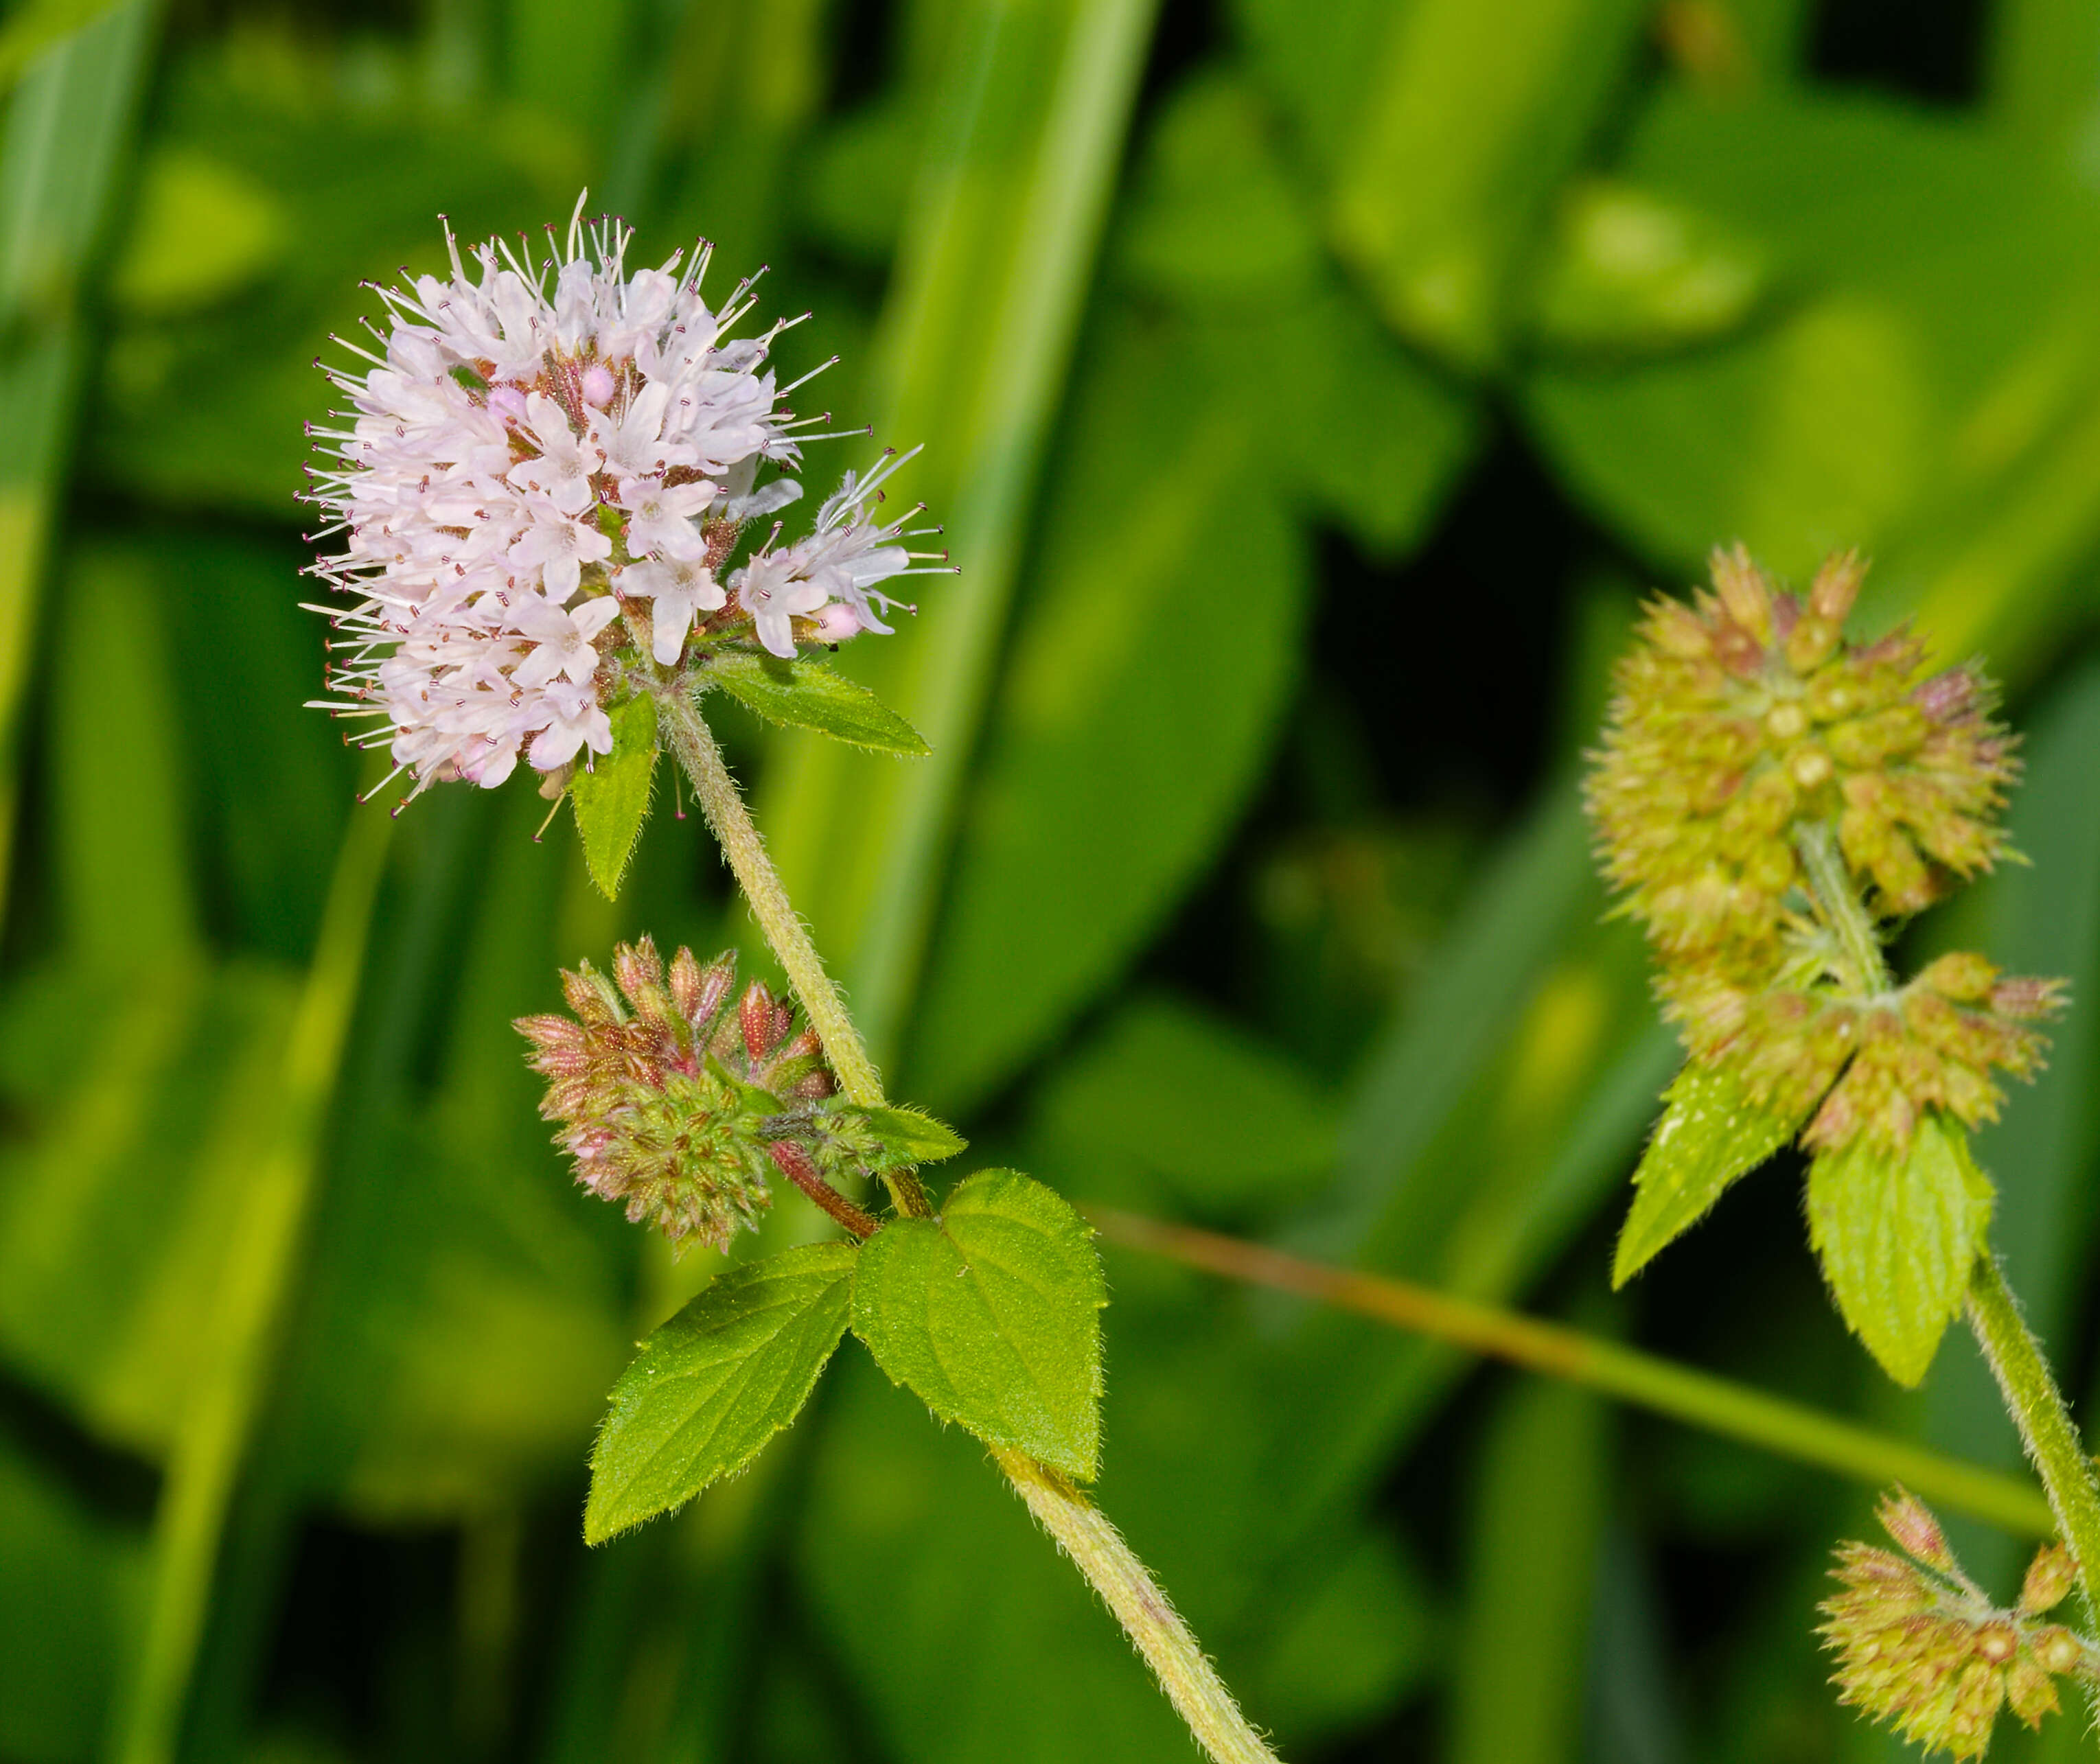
(717, 1383)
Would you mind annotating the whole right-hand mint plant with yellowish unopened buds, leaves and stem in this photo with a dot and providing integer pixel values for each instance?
(1773, 803)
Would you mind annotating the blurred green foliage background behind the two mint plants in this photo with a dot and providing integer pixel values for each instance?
(1309, 394)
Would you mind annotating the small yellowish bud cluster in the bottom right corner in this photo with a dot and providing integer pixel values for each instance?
(1923, 1650)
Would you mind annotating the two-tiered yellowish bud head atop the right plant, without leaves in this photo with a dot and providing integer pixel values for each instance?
(1748, 734)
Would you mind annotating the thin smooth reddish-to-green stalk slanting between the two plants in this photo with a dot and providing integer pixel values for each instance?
(1700, 1400)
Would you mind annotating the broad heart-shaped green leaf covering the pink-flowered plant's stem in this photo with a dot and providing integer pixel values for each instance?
(992, 1314)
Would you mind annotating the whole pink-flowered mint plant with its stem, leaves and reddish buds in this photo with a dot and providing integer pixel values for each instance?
(555, 490)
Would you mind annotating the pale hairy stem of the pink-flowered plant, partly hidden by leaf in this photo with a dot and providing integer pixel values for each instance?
(1095, 1547)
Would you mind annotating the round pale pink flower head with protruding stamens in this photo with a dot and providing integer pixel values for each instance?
(551, 463)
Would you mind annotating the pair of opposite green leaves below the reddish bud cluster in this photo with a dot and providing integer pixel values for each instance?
(990, 1314)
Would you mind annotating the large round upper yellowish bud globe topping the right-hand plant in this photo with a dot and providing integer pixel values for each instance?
(1746, 715)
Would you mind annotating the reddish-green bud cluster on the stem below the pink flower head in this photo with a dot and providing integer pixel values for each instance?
(673, 1095)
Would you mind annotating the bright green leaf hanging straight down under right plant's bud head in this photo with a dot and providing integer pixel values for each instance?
(1899, 1238)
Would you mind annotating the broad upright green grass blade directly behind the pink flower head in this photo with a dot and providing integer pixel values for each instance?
(975, 352)
